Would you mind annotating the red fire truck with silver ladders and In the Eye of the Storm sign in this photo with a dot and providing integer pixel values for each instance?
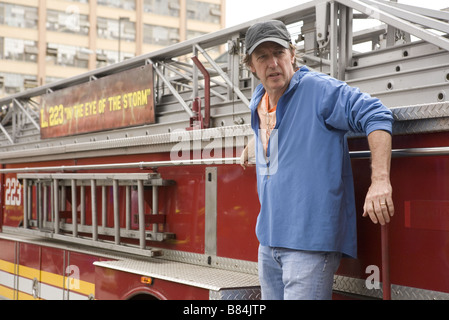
(125, 183)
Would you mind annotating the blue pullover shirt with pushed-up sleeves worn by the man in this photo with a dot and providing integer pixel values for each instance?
(305, 182)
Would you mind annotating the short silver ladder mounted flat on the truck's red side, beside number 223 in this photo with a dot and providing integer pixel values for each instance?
(52, 219)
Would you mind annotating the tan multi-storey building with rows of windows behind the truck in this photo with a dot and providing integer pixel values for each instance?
(42, 41)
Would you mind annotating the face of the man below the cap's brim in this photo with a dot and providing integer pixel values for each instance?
(273, 65)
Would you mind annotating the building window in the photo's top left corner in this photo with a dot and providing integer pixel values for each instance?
(18, 16)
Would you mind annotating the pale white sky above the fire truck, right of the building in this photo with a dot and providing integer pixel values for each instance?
(239, 11)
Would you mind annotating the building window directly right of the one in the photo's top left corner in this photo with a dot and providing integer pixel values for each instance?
(69, 21)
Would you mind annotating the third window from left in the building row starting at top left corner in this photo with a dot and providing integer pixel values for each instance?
(109, 29)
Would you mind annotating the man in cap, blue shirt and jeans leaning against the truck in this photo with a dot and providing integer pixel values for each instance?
(304, 178)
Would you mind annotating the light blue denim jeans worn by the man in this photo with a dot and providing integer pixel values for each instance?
(287, 274)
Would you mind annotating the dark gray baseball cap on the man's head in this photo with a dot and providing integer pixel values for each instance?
(272, 30)
